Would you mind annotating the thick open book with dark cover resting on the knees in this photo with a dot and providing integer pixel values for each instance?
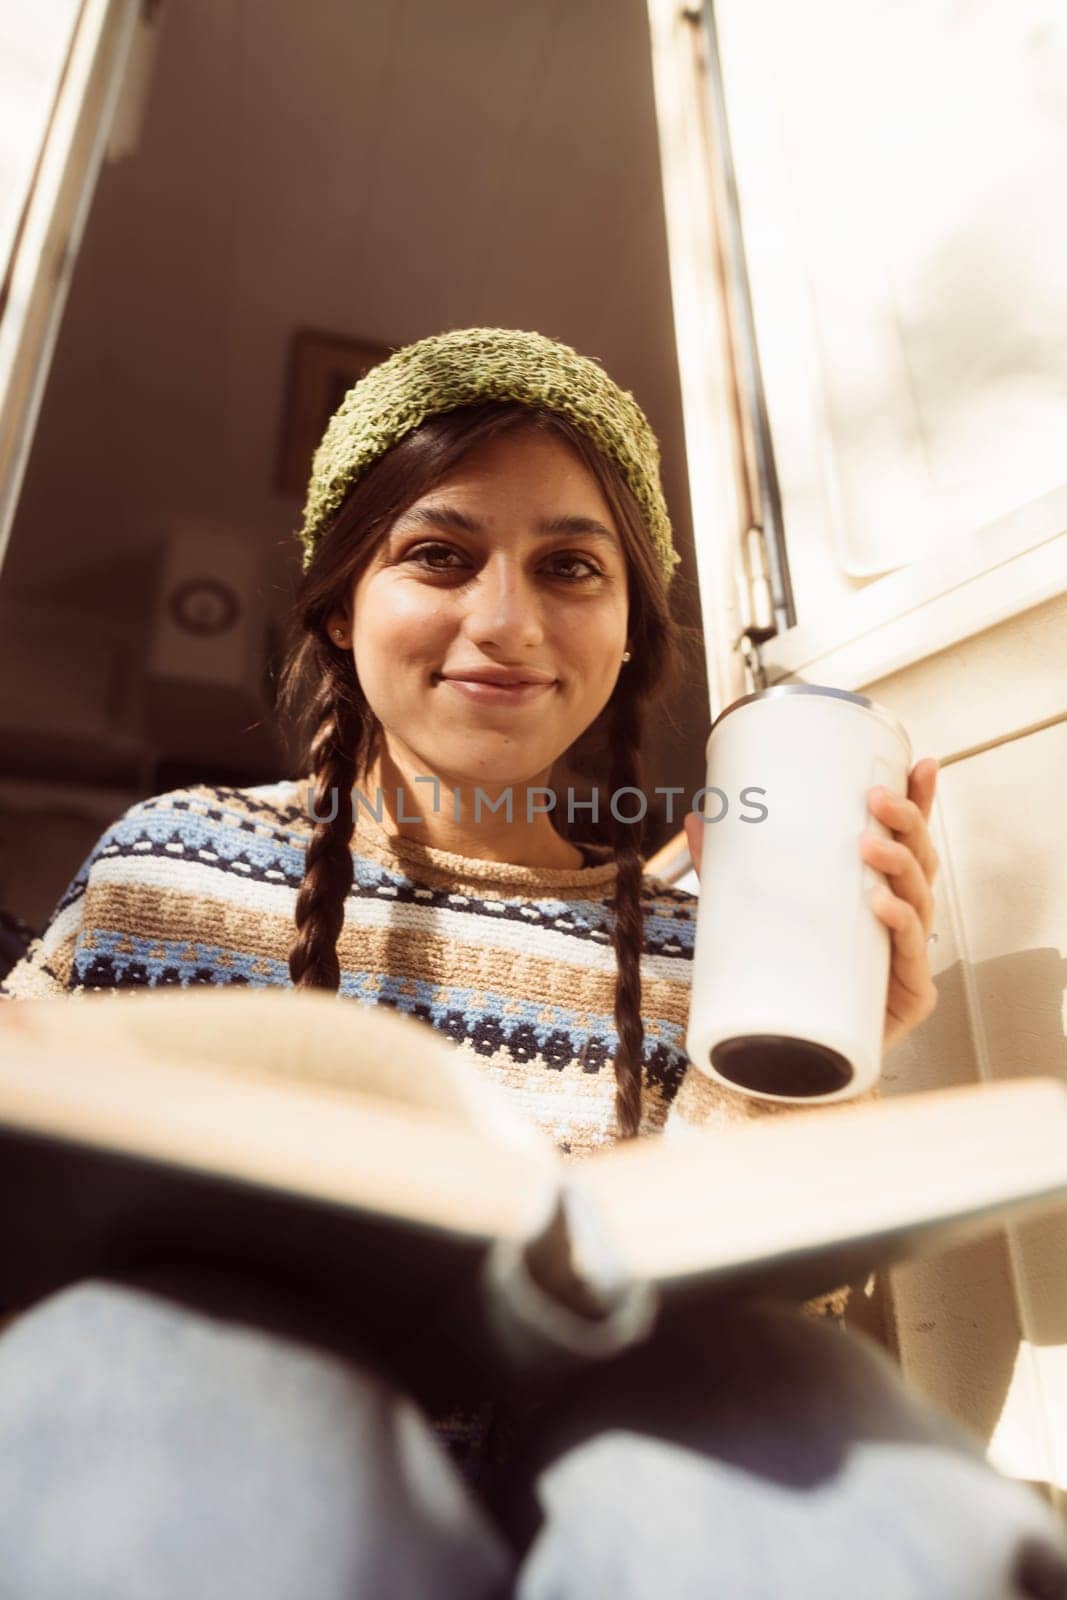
(359, 1167)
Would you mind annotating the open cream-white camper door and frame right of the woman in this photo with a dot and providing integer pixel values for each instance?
(895, 175)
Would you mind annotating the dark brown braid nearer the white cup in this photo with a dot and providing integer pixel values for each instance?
(629, 922)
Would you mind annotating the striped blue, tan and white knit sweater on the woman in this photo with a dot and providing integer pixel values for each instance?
(514, 964)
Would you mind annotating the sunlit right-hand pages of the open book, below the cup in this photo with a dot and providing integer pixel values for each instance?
(802, 1185)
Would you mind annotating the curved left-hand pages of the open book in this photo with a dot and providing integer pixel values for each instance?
(185, 1100)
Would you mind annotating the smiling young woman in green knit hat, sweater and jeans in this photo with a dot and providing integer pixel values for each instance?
(489, 561)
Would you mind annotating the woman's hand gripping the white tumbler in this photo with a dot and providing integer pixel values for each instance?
(906, 905)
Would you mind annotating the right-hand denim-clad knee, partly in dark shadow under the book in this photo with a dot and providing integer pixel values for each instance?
(770, 1455)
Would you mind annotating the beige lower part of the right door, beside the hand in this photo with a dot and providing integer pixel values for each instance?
(985, 1329)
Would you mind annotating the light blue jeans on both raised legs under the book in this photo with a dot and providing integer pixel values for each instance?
(153, 1452)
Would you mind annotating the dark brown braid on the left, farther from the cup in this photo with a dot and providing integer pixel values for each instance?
(334, 748)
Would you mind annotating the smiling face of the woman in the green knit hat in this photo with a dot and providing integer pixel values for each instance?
(511, 562)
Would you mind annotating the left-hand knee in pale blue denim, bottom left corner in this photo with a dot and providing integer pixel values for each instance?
(166, 1441)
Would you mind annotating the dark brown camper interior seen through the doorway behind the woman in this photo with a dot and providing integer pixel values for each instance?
(377, 174)
